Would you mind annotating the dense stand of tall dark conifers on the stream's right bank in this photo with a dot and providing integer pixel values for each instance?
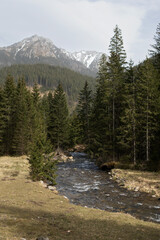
(121, 122)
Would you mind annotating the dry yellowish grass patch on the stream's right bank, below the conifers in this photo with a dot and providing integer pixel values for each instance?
(138, 180)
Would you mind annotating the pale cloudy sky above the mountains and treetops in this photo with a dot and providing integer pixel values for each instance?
(82, 24)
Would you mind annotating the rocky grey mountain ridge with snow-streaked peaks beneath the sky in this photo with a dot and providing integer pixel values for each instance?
(38, 49)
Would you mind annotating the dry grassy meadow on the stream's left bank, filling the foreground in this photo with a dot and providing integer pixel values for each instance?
(28, 210)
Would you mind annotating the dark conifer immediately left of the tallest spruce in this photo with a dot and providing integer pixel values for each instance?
(100, 120)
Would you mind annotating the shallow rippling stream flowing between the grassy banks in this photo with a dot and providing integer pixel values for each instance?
(84, 184)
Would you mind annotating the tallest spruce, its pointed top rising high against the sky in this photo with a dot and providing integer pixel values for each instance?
(116, 69)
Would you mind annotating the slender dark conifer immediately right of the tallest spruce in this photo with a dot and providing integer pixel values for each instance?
(127, 136)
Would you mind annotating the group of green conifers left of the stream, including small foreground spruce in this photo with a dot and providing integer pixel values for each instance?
(32, 125)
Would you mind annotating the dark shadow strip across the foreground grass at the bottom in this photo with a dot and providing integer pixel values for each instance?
(29, 224)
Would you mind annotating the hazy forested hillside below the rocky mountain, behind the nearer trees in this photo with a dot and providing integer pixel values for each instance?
(48, 78)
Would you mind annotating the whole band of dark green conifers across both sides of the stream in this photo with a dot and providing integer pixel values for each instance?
(117, 119)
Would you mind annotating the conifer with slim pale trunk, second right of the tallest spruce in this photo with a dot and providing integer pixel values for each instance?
(147, 108)
